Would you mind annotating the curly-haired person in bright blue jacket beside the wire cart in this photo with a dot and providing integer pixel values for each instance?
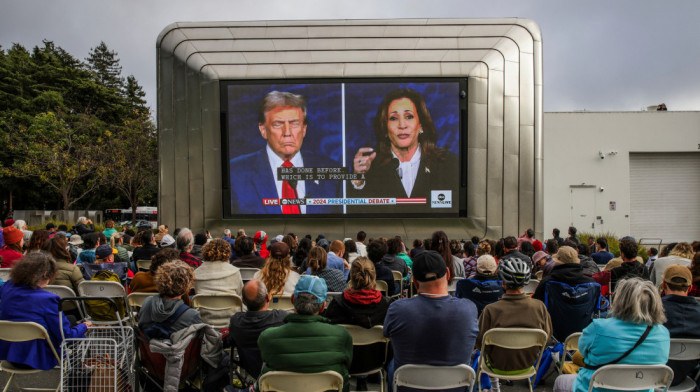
(24, 299)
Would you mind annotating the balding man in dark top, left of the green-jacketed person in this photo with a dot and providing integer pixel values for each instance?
(246, 327)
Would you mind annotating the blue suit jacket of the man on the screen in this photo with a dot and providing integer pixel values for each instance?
(252, 181)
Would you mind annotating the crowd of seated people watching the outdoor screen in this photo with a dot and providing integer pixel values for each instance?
(420, 320)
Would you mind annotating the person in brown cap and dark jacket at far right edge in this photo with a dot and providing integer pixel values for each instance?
(682, 314)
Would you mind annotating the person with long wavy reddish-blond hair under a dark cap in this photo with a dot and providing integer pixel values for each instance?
(277, 274)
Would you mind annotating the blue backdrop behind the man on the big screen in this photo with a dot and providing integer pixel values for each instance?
(324, 113)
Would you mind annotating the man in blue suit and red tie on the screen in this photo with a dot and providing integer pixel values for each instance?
(282, 123)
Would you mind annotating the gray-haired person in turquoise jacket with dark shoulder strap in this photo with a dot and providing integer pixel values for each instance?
(634, 334)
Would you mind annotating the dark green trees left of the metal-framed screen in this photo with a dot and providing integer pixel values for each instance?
(67, 125)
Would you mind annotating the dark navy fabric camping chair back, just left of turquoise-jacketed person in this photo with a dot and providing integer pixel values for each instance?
(571, 308)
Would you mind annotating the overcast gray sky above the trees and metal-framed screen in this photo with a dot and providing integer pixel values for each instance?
(598, 55)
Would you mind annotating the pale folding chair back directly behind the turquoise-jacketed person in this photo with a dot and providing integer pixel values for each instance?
(631, 377)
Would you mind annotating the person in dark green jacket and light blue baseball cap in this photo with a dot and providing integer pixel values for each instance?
(307, 342)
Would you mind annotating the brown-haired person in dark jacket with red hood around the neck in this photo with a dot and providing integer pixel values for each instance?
(362, 304)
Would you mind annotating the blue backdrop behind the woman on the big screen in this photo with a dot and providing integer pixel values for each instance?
(363, 99)
